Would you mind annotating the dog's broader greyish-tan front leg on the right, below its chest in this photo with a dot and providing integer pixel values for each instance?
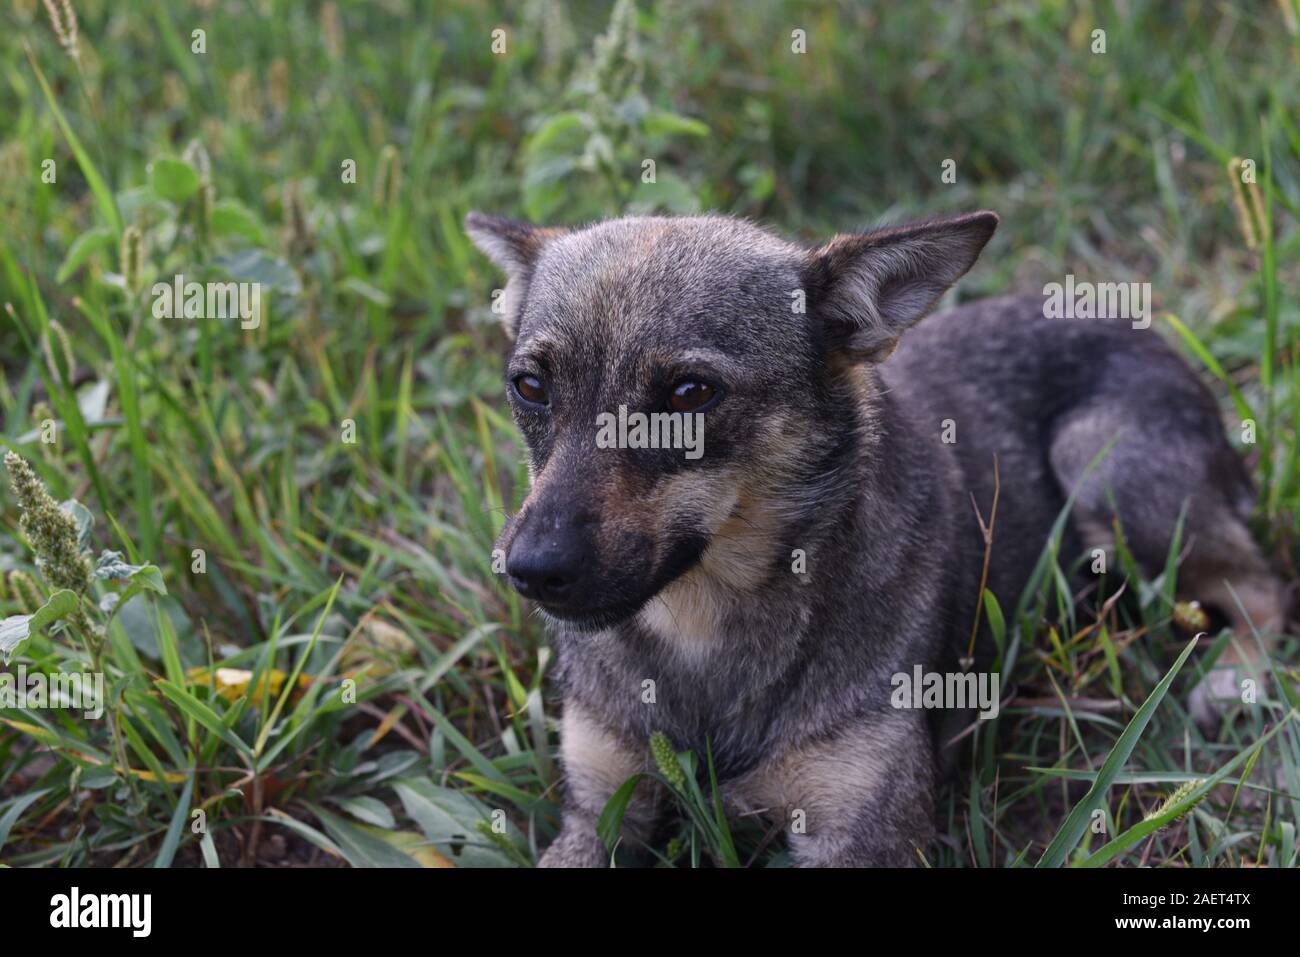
(860, 798)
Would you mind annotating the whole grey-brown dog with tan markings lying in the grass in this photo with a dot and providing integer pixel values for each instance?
(757, 600)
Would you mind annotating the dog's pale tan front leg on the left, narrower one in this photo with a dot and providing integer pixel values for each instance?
(596, 765)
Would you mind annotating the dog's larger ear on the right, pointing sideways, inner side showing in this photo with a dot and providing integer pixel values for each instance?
(870, 288)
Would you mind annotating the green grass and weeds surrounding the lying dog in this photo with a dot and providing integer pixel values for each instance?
(335, 674)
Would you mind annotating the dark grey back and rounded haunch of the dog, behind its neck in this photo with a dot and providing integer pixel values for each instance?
(1046, 396)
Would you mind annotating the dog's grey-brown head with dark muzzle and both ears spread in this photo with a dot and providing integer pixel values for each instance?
(738, 350)
